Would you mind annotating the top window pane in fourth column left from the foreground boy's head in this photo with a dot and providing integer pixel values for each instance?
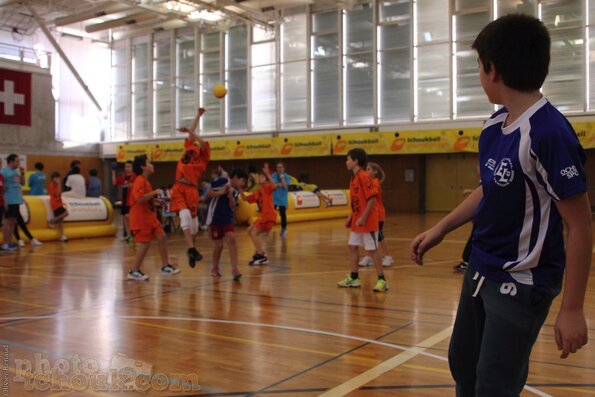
(359, 29)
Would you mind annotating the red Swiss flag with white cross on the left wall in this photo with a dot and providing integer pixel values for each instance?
(15, 97)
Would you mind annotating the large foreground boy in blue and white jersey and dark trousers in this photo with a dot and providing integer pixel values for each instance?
(532, 181)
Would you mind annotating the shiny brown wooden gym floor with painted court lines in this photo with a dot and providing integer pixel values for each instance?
(68, 314)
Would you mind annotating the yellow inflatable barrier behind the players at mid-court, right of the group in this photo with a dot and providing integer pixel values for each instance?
(304, 206)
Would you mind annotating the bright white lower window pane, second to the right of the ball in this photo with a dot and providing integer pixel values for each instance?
(263, 98)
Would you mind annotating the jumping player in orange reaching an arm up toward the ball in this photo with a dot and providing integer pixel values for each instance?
(184, 198)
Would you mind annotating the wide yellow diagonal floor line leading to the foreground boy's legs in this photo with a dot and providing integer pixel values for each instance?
(386, 366)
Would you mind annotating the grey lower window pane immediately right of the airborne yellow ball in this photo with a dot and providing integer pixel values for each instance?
(237, 100)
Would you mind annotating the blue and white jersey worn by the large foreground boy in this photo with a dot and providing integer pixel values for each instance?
(525, 167)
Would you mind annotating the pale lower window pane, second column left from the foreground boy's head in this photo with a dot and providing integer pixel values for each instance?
(433, 91)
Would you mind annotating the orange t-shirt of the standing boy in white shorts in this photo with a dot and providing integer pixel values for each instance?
(362, 189)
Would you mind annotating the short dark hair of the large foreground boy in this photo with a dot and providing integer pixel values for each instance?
(518, 46)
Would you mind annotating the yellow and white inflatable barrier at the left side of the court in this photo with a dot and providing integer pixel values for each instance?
(87, 217)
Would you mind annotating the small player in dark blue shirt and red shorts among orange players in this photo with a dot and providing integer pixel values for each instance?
(223, 196)
